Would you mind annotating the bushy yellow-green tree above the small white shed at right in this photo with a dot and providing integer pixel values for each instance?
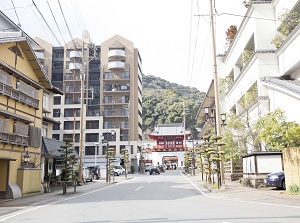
(276, 132)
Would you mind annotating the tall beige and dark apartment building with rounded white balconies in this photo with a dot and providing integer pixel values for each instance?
(111, 115)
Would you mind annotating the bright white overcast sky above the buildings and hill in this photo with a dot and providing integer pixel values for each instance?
(173, 36)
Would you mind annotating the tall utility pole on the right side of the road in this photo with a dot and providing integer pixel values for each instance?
(216, 87)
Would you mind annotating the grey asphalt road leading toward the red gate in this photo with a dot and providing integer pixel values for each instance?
(169, 197)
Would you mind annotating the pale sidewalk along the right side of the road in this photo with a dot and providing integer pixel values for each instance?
(233, 190)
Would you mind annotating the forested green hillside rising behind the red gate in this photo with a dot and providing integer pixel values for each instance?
(163, 103)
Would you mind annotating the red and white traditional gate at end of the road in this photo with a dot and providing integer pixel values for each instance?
(170, 144)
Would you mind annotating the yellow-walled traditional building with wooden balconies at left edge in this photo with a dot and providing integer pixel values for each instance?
(25, 93)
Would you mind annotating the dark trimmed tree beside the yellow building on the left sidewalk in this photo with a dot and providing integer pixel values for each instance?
(69, 159)
